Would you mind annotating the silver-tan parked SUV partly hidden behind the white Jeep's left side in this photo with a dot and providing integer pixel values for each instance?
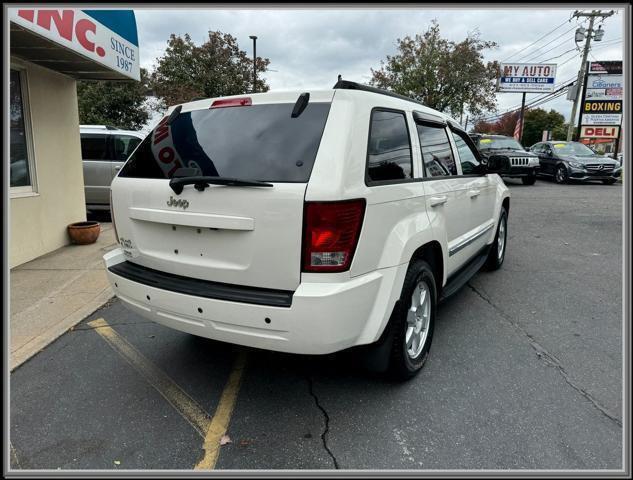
(104, 151)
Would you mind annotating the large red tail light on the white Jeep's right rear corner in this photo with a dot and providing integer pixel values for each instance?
(330, 234)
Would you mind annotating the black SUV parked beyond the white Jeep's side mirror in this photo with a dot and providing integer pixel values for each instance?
(523, 164)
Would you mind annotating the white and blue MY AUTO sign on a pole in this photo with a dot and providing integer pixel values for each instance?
(527, 77)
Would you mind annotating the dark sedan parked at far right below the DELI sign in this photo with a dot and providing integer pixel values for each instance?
(565, 161)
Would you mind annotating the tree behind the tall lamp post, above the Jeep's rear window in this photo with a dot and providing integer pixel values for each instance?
(216, 68)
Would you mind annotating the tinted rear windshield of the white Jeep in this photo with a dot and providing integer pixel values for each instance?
(258, 142)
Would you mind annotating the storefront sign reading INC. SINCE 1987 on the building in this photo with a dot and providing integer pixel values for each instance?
(107, 37)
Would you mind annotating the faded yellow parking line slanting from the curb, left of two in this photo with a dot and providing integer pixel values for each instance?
(176, 396)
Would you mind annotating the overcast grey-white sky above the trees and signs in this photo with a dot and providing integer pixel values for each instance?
(308, 48)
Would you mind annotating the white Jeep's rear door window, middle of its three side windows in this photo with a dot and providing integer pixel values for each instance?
(436, 151)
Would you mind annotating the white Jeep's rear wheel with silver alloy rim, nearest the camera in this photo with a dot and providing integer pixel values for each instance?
(413, 322)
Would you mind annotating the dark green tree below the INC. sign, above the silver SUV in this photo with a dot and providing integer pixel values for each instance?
(118, 103)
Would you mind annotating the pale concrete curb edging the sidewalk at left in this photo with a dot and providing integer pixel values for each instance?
(38, 343)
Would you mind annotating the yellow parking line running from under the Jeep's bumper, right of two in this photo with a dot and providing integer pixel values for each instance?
(222, 417)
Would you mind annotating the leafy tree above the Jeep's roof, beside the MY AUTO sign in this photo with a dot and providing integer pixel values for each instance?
(444, 75)
